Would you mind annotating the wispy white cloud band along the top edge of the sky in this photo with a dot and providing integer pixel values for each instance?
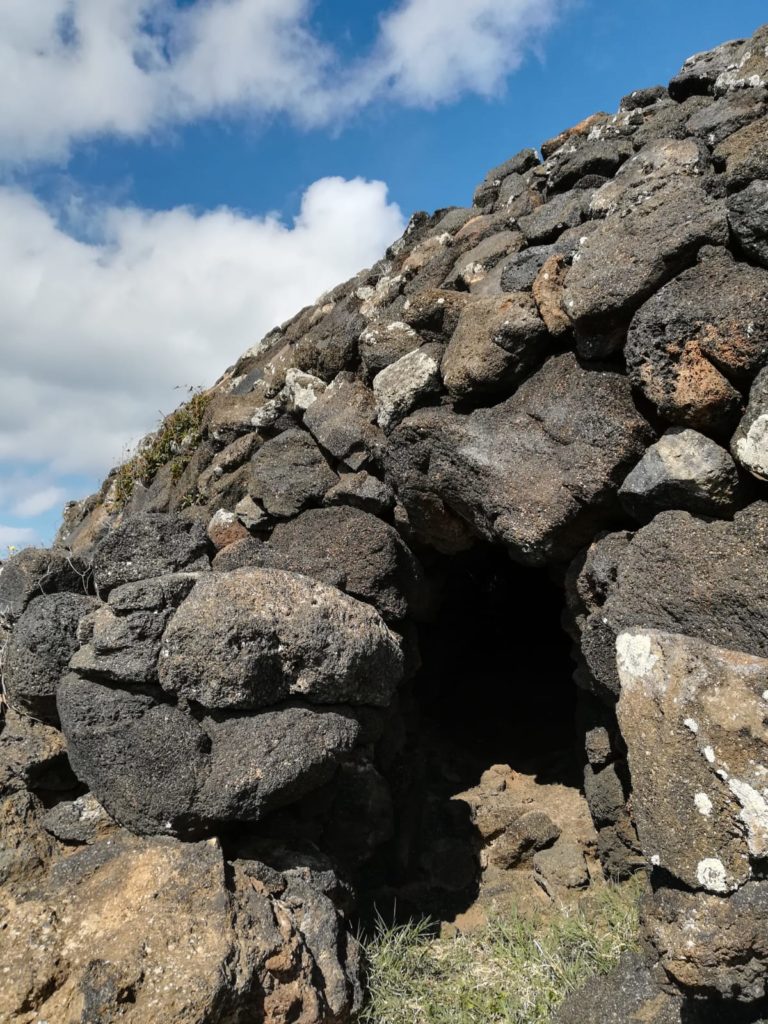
(76, 69)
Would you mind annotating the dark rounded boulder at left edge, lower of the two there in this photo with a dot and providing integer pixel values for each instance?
(39, 651)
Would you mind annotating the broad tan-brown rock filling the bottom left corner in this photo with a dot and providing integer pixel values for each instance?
(221, 950)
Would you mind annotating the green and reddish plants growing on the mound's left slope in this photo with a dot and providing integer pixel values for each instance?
(174, 443)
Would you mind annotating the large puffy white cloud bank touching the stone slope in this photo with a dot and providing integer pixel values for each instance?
(95, 336)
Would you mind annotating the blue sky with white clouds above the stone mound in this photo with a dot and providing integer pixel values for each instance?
(179, 177)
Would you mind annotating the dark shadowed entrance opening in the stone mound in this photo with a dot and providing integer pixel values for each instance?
(495, 689)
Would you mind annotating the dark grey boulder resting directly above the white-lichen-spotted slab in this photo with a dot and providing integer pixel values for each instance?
(684, 575)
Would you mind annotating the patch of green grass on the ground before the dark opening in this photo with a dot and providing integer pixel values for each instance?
(515, 971)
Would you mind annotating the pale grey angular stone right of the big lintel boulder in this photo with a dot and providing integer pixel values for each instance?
(684, 471)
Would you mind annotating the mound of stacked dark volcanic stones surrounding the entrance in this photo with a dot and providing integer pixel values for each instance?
(573, 369)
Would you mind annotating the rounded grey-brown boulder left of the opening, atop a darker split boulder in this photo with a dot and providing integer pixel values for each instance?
(254, 637)
